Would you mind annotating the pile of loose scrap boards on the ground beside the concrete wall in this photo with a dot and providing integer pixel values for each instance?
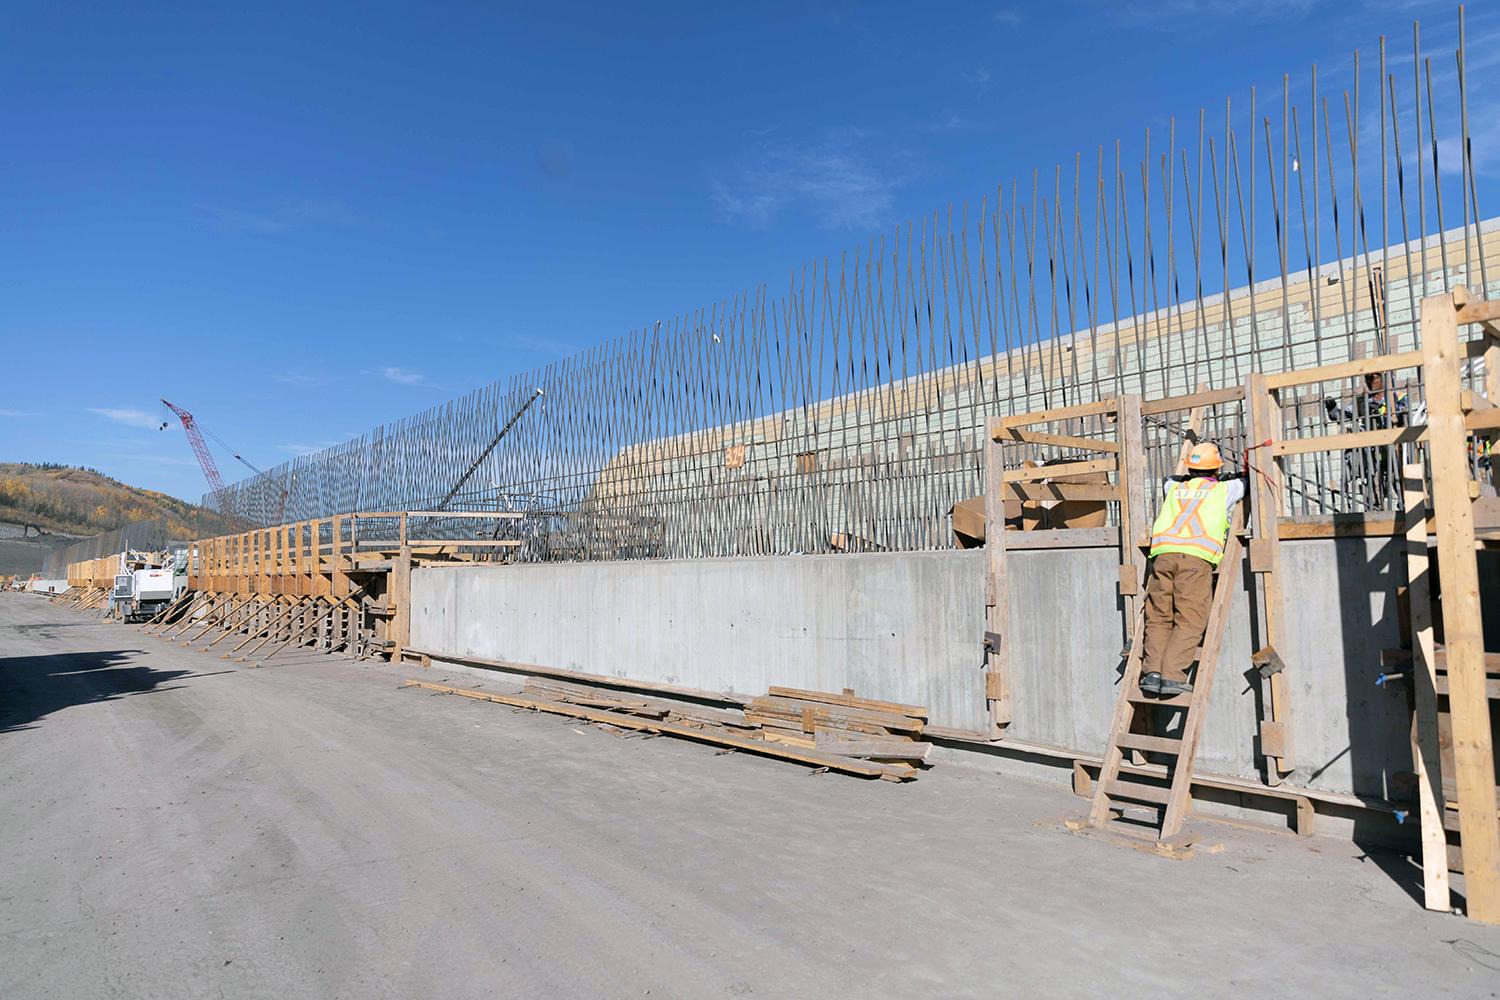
(836, 732)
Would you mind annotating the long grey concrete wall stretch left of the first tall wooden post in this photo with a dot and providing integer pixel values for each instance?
(898, 627)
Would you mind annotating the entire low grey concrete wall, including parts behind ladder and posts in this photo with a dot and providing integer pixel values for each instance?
(908, 627)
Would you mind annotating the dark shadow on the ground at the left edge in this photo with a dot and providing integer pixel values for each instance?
(37, 687)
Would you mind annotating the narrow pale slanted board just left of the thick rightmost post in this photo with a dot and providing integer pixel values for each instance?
(1426, 746)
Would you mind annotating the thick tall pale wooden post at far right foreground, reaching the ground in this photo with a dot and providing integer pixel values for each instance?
(1459, 572)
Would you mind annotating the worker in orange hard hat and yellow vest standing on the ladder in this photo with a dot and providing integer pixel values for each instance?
(1187, 543)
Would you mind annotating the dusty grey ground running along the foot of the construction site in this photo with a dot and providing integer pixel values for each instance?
(181, 828)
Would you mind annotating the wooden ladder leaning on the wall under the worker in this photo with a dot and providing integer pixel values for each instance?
(1115, 792)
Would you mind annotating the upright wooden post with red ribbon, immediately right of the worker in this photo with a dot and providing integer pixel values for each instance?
(1265, 493)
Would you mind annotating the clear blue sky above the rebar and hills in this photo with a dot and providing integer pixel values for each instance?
(304, 221)
